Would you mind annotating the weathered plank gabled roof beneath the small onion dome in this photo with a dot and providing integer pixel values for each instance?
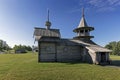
(43, 32)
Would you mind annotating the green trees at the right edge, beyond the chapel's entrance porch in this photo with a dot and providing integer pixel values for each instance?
(114, 46)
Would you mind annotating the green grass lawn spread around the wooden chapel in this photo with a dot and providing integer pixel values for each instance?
(26, 67)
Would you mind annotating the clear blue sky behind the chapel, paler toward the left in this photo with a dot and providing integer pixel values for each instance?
(19, 17)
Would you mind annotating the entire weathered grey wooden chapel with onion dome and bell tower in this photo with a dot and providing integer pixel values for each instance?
(53, 48)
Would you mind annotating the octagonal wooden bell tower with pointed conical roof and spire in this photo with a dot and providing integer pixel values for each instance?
(83, 30)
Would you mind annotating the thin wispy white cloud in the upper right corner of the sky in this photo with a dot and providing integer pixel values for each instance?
(101, 5)
